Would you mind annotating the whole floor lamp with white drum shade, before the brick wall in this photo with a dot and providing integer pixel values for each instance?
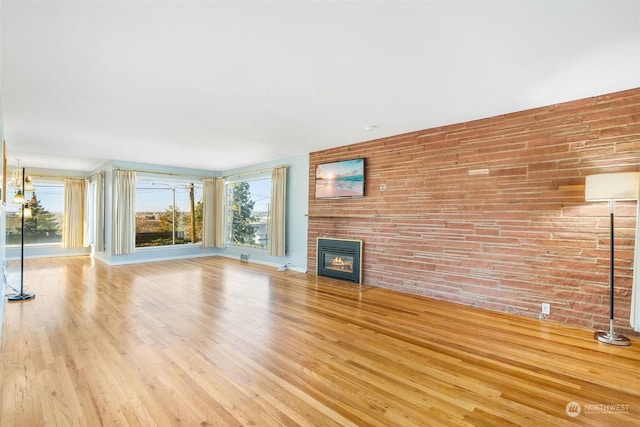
(611, 187)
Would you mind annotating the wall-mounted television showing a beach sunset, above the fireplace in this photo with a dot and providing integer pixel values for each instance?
(342, 179)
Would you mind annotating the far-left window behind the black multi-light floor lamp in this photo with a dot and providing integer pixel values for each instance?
(47, 210)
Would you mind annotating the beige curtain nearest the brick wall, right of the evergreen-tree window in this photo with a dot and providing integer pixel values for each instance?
(277, 224)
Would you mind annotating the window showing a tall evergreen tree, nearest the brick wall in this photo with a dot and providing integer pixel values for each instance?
(248, 212)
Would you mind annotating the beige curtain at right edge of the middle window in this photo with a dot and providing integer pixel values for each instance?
(213, 206)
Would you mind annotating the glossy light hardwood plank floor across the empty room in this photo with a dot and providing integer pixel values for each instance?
(213, 341)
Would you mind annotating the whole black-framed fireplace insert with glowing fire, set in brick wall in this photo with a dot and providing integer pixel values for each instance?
(340, 259)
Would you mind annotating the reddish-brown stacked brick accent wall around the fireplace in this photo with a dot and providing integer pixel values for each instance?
(491, 213)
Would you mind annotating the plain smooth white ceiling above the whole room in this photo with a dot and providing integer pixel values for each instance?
(219, 85)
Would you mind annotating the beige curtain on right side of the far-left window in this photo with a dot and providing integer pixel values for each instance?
(75, 199)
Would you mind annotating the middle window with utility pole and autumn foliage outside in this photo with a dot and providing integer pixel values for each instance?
(168, 211)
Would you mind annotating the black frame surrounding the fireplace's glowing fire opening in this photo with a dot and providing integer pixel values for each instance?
(352, 248)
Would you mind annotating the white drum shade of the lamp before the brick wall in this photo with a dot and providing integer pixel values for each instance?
(612, 186)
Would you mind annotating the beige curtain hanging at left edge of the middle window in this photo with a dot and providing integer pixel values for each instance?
(124, 212)
